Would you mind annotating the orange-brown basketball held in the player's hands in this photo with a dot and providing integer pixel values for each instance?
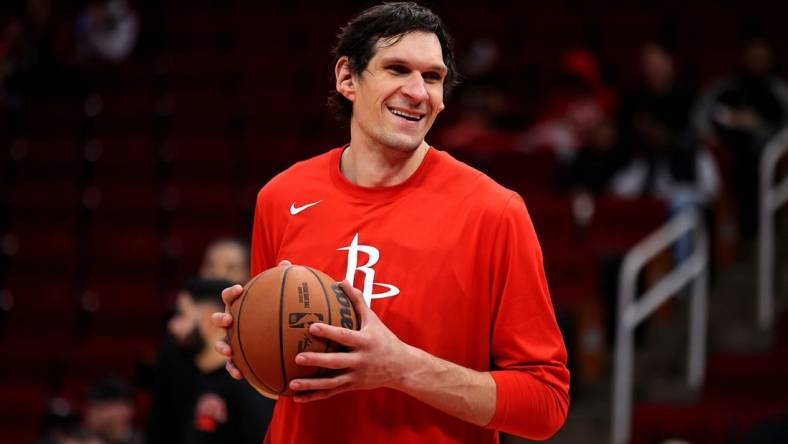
(271, 321)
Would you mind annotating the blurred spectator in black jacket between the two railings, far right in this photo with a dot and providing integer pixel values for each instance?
(742, 112)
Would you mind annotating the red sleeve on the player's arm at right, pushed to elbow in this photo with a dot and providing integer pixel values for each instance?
(528, 352)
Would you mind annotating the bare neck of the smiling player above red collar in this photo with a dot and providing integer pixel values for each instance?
(375, 166)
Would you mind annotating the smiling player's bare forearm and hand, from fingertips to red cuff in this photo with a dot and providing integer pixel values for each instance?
(377, 358)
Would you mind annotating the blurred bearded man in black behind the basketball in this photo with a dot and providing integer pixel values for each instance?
(194, 399)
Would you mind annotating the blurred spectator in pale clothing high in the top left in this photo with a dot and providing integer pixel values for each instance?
(106, 30)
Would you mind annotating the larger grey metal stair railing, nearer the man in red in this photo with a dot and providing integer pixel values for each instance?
(632, 311)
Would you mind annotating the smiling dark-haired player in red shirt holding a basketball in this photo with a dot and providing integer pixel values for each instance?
(458, 337)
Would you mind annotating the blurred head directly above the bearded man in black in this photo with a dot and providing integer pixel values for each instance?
(226, 258)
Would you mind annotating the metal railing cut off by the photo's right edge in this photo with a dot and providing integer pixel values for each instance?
(772, 197)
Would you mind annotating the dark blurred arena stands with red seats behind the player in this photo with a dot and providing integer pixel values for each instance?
(135, 133)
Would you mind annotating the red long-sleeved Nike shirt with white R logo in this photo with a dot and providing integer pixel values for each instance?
(450, 263)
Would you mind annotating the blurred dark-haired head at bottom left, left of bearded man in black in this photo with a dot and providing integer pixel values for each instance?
(109, 412)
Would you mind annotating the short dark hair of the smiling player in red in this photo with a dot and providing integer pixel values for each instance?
(358, 38)
